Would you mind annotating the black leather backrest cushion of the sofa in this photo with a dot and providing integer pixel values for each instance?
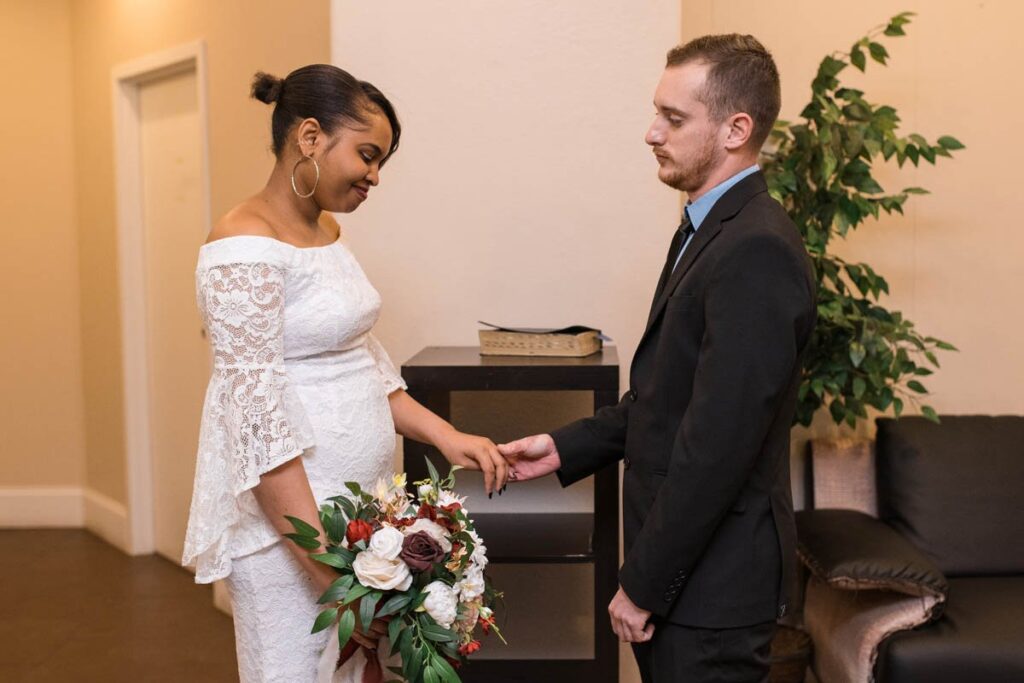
(955, 490)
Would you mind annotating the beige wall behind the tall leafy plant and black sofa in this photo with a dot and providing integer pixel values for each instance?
(956, 263)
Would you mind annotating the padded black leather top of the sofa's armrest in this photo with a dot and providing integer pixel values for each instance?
(850, 550)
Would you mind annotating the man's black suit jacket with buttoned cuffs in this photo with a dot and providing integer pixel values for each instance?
(705, 429)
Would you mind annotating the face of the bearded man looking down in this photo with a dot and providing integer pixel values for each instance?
(684, 138)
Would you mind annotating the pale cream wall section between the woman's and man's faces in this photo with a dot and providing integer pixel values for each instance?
(524, 193)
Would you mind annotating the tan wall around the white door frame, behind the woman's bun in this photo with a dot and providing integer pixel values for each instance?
(242, 36)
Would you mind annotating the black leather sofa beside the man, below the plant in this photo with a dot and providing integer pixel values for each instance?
(951, 530)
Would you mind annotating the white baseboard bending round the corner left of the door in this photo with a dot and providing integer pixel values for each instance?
(65, 507)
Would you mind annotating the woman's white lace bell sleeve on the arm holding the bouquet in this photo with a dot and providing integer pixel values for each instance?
(253, 421)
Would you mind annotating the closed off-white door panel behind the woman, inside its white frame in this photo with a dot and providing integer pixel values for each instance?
(179, 357)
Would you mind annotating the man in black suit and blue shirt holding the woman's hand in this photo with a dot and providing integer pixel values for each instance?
(704, 433)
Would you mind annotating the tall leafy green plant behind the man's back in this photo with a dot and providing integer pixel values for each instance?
(820, 169)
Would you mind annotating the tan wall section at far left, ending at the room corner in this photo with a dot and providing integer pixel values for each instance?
(41, 422)
